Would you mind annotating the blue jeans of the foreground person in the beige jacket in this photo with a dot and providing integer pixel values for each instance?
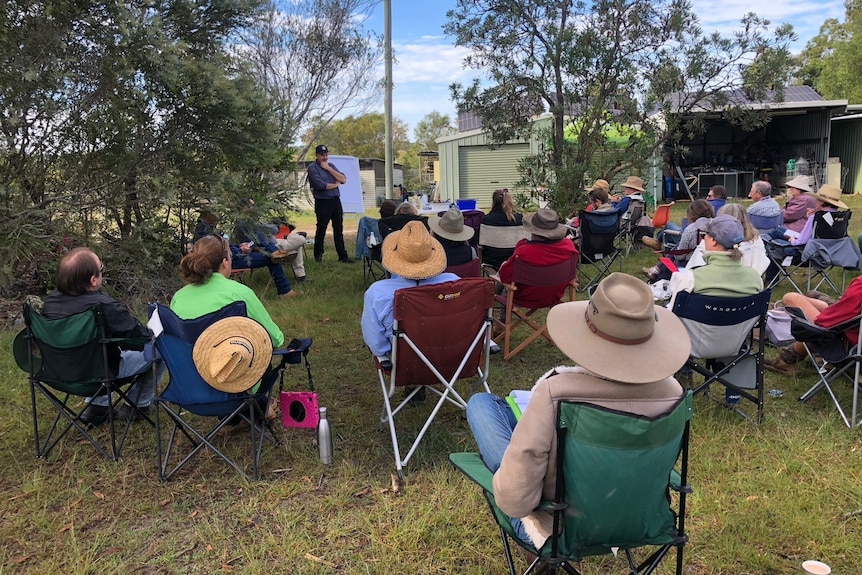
(492, 422)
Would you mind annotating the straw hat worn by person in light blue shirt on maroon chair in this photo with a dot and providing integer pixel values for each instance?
(412, 253)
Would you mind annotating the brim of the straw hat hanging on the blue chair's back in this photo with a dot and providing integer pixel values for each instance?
(241, 328)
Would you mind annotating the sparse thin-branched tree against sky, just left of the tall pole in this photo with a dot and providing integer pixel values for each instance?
(315, 62)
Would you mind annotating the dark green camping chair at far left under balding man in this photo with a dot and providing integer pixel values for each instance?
(70, 357)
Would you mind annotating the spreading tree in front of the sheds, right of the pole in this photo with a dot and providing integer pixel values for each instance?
(636, 67)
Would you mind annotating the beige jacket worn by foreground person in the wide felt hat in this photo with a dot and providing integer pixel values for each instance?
(527, 472)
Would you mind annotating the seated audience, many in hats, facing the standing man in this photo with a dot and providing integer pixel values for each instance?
(718, 254)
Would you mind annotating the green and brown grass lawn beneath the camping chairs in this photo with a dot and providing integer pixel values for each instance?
(766, 496)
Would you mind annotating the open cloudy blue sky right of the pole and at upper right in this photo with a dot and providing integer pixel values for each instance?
(428, 62)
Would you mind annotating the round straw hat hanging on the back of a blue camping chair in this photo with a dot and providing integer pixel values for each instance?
(233, 353)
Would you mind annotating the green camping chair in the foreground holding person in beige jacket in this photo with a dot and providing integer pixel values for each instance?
(614, 475)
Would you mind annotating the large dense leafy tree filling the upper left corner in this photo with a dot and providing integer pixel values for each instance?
(111, 113)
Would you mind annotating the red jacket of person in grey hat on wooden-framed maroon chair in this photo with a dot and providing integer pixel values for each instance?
(540, 253)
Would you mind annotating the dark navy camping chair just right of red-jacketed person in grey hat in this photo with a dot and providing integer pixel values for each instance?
(599, 231)
